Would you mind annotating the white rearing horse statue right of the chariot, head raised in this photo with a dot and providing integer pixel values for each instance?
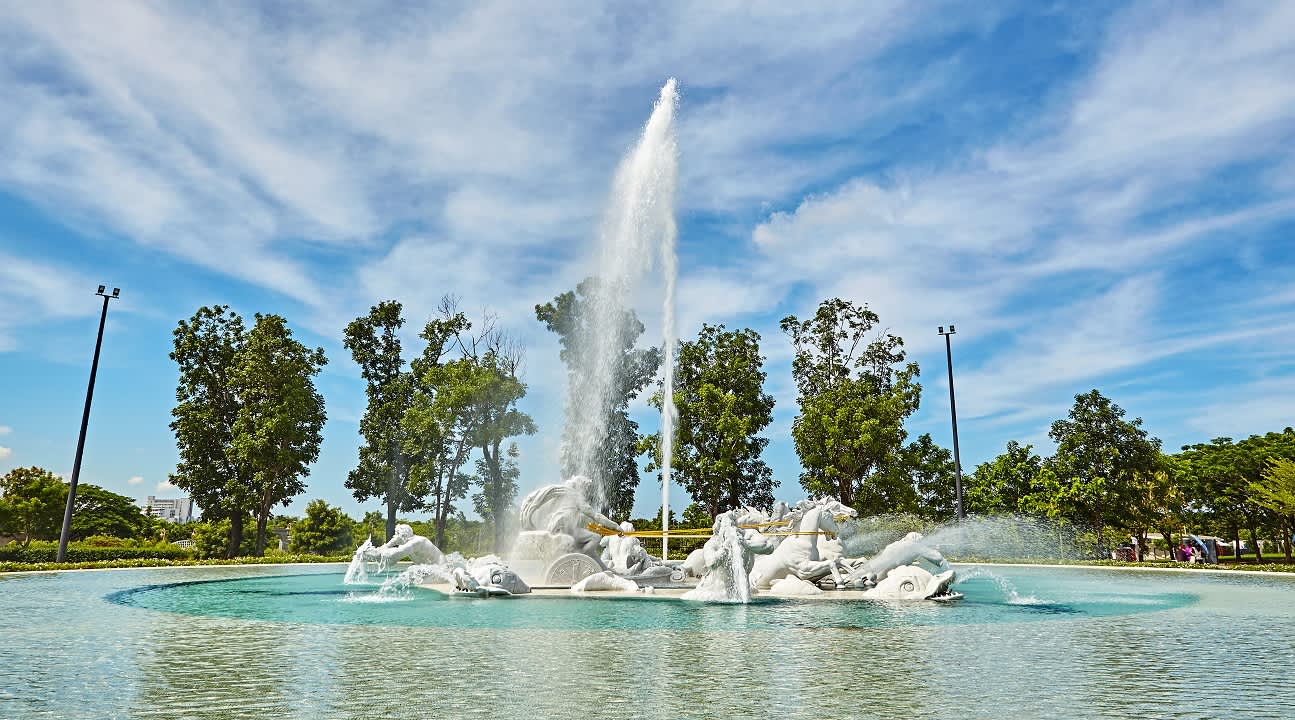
(800, 555)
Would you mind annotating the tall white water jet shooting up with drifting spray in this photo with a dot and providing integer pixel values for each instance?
(638, 229)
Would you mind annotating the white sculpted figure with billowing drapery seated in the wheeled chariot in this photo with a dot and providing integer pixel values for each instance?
(554, 520)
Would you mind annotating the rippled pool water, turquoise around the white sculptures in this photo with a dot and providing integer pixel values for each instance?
(296, 643)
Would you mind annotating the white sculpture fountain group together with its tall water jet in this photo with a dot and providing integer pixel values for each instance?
(567, 543)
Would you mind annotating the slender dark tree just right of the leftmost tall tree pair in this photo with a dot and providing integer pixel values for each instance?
(384, 466)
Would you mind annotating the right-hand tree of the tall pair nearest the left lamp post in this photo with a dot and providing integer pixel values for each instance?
(280, 420)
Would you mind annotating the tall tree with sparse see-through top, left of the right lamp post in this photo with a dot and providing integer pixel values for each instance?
(855, 396)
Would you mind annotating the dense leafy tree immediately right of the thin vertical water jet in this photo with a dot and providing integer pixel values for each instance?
(722, 406)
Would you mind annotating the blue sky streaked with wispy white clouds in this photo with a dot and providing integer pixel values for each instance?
(1096, 195)
